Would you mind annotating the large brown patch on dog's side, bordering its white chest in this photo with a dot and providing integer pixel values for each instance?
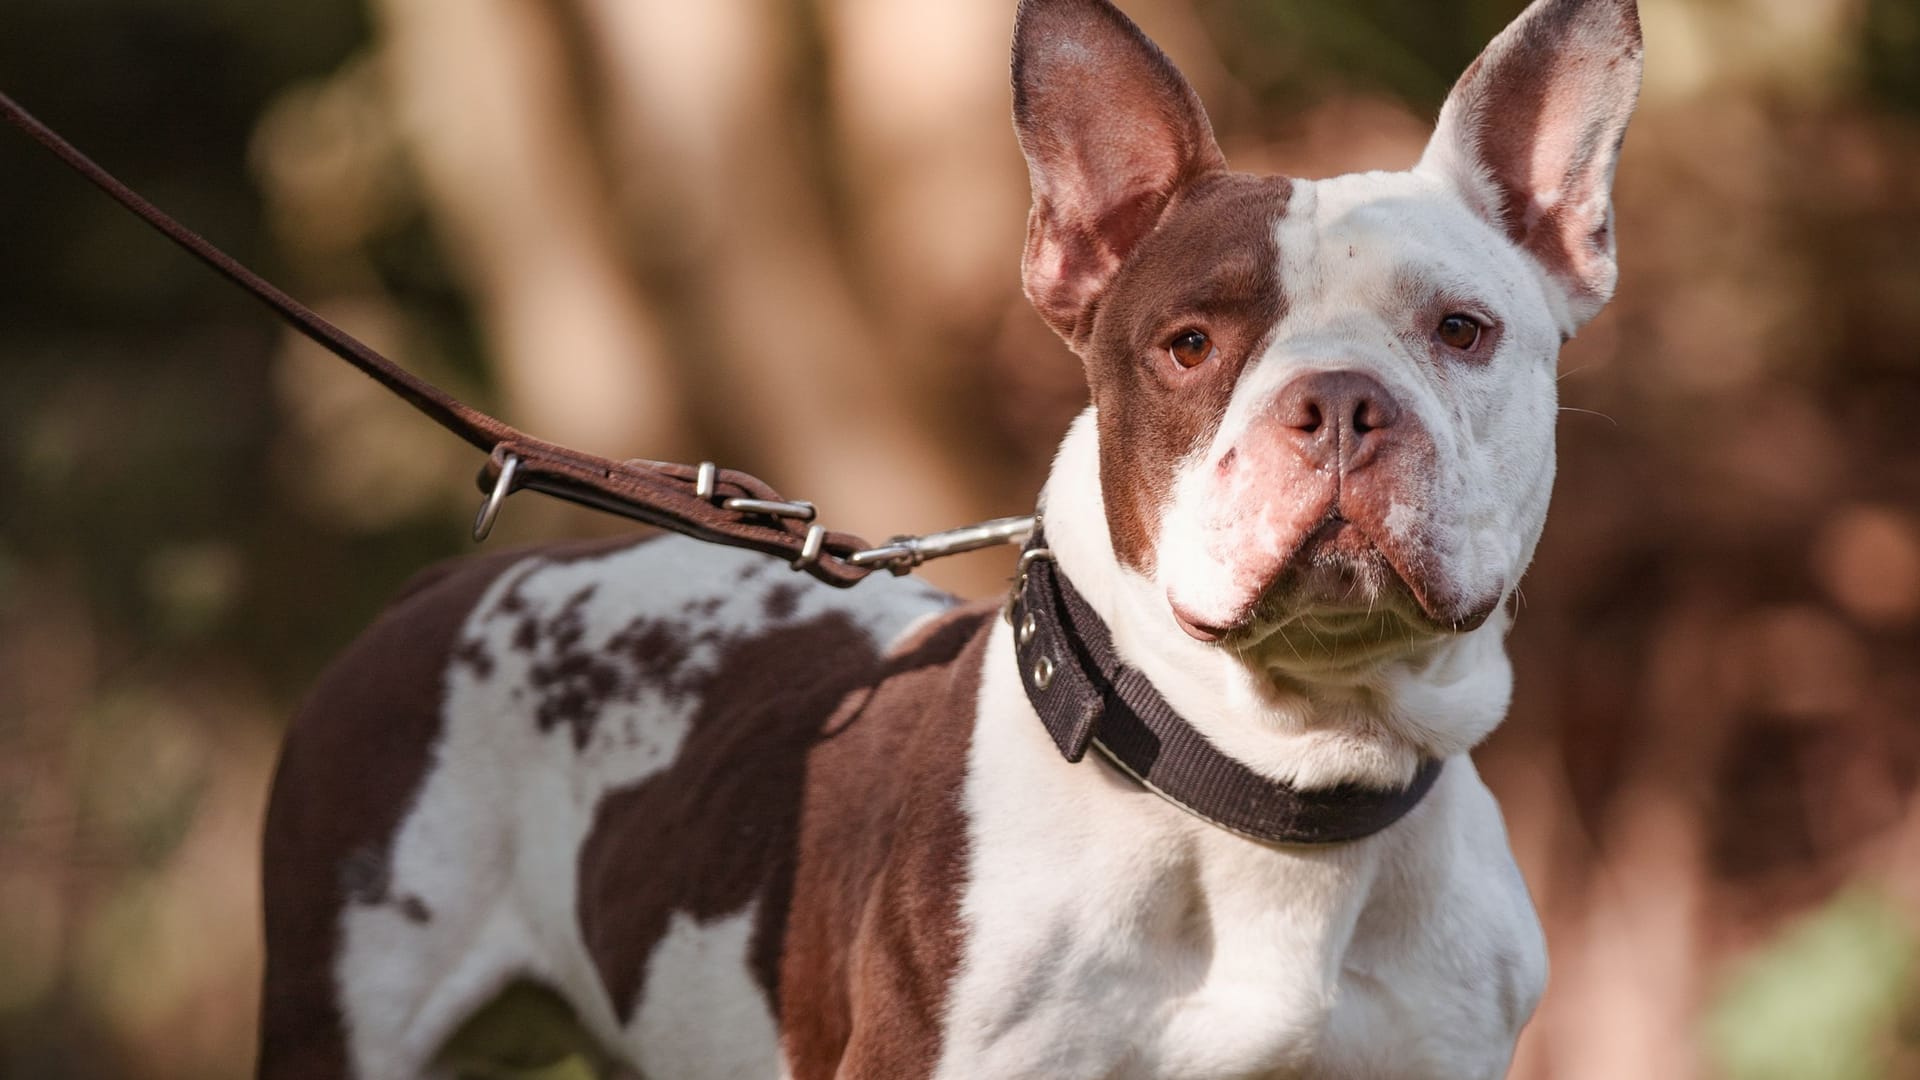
(819, 781)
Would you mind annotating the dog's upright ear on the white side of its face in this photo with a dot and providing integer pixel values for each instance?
(1533, 134)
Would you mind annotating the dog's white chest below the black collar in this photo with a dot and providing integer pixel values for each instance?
(1115, 937)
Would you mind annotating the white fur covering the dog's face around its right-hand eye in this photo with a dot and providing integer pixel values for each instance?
(1355, 251)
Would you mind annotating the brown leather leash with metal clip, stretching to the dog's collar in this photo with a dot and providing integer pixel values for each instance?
(721, 506)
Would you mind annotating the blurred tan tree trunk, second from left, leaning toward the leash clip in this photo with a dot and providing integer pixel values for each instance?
(713, 112)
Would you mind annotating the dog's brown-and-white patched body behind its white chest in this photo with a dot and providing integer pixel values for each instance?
(612, 772)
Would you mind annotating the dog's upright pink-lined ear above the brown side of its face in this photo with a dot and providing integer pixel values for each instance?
(1113, 134)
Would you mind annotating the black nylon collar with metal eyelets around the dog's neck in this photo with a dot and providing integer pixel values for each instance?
(1088, 697)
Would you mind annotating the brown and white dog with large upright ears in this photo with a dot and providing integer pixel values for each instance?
(729, 823)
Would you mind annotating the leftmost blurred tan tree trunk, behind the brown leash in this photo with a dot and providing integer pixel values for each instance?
(489, 110)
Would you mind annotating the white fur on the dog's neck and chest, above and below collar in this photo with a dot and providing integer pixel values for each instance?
(1126, 939)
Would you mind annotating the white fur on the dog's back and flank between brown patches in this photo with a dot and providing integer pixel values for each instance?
(494, 837)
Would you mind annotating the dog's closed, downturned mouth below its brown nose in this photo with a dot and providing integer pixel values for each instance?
(1343, 597)
